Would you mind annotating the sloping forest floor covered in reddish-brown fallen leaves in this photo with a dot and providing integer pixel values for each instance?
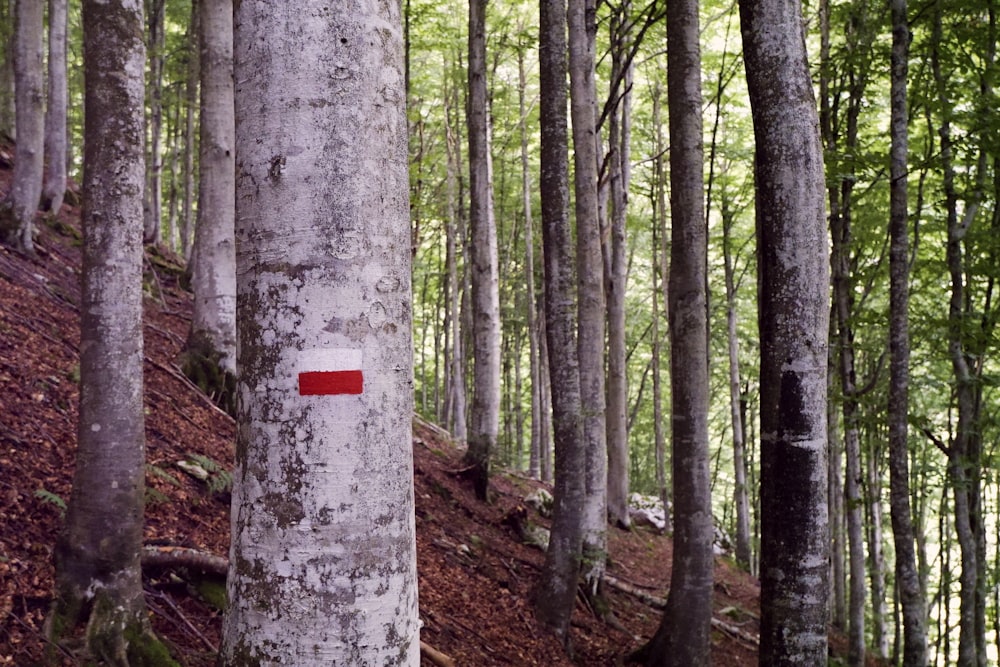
(476, 577)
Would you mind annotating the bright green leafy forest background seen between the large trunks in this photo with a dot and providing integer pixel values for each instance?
(953, 171)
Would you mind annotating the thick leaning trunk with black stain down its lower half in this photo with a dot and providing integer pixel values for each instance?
(793, 274)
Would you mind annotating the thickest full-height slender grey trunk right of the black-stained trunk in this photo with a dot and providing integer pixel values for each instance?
(911, 592)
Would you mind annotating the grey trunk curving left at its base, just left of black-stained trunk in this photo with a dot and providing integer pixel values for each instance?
(684, 632)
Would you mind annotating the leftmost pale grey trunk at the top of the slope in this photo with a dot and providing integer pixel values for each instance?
(17, 225)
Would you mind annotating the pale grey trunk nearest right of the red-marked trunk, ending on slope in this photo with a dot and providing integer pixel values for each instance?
(484, 424)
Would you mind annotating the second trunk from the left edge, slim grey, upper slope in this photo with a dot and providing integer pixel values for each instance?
(55, 112)
